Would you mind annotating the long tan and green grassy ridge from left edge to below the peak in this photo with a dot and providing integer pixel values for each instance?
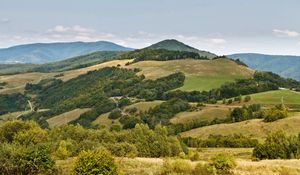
(201, 74)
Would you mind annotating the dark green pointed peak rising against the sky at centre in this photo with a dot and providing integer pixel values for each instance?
(172, 44)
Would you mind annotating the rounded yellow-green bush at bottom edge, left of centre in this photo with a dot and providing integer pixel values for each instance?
(95, 163)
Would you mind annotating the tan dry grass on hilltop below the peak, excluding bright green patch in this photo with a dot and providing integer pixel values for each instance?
(157, 69)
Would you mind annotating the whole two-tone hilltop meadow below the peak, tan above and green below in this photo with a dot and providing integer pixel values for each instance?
(200, 74)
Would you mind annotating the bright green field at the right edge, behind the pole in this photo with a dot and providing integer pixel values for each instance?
(274, 97)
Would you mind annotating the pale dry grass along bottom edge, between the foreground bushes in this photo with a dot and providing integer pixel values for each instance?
(154, 166)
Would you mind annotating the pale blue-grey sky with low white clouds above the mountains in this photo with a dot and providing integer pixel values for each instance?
(219, 26)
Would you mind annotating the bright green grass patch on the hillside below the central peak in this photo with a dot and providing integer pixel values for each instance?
(206, 83)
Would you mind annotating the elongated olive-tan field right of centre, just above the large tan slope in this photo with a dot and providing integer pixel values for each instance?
(206, 114)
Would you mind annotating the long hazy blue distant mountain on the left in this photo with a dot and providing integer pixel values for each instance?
(40, 53)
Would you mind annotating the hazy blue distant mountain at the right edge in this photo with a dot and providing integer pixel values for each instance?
(287, 66)
